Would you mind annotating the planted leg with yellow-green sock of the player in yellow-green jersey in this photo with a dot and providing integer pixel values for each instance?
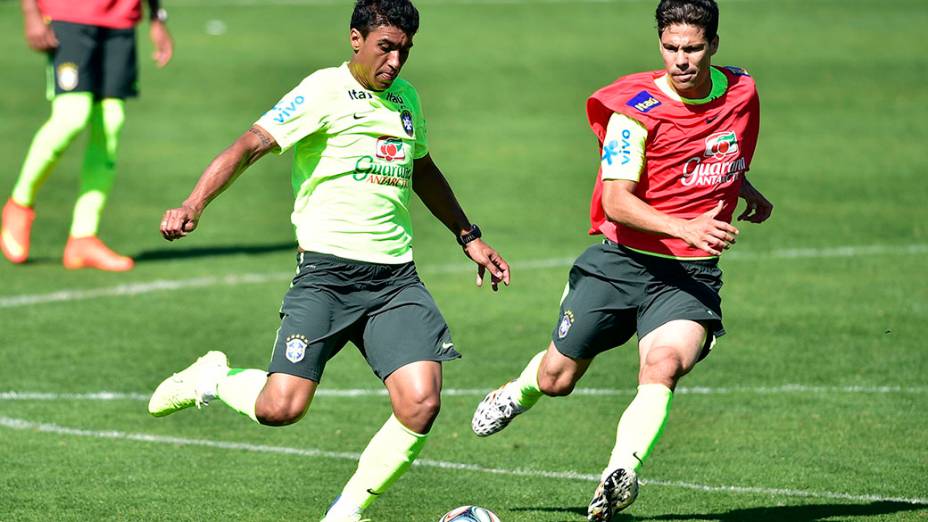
(415, 394)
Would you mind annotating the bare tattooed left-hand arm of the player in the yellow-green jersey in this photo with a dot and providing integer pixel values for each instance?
(221, 172)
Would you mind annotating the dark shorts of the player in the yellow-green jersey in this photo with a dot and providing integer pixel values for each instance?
(384, 310)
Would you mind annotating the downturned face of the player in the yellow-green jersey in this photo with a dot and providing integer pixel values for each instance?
(379, 57)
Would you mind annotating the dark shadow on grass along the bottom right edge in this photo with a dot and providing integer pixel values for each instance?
(805, 513)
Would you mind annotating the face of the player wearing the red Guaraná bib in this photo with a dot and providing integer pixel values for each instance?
(687, 55)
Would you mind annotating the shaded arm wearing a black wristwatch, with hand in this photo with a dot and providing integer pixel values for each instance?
(433, 189)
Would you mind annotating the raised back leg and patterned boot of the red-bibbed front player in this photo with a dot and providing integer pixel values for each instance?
(548, 373)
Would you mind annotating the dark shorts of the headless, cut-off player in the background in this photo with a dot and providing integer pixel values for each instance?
(94, 59)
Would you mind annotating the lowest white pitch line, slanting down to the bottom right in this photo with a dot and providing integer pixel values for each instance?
(21, 424)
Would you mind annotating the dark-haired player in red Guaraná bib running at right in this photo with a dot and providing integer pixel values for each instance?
(675, 147)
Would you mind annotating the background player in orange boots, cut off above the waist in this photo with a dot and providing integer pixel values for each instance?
(91, 70)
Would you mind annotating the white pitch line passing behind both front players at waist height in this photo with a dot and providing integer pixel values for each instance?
(164, 285)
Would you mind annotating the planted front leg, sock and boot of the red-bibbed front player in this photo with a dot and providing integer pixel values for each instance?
(666, 354)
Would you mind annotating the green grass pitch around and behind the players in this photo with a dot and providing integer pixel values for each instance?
(812, 408)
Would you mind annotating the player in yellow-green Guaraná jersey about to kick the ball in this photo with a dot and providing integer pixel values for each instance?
(360, 150)
